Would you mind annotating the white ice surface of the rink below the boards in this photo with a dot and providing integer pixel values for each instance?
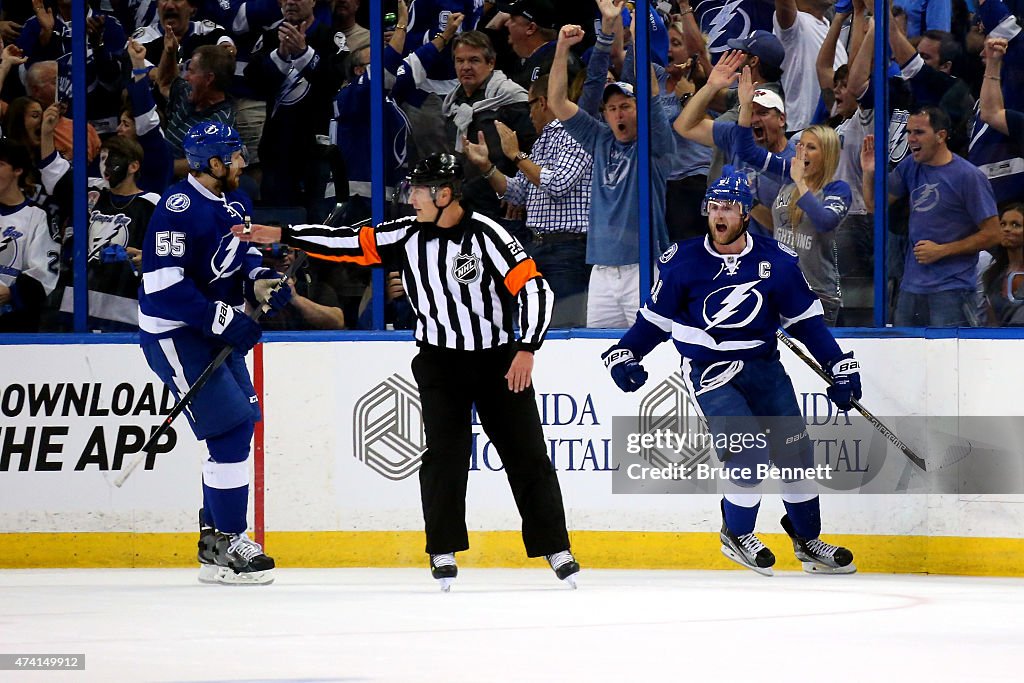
(516, 625)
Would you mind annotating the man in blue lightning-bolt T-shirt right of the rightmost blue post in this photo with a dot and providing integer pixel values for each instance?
(953, 218)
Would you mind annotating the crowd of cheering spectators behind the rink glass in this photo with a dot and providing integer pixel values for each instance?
(539, 101)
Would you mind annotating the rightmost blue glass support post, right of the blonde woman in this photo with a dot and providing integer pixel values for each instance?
(881, 80)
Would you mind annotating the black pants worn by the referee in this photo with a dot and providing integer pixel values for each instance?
(450, 383)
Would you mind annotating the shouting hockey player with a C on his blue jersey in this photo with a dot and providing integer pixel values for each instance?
(721, 300)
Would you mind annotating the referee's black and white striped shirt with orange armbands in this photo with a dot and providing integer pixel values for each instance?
(464, 282)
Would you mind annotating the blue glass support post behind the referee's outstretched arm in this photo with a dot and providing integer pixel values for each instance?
(377, 181)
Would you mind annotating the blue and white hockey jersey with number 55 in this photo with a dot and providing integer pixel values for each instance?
(191, 259)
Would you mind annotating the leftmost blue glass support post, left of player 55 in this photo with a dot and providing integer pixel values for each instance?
(80, 209)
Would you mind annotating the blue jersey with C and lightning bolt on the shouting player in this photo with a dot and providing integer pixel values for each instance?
(714, 320)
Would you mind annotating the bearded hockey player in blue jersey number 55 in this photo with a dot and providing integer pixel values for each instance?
(195, 279)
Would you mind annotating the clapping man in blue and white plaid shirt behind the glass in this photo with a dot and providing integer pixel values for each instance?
(553, 183)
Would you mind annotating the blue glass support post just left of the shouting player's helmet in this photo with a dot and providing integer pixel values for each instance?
(642, 28)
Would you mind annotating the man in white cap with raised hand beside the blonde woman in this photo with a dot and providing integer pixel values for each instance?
(767, 125)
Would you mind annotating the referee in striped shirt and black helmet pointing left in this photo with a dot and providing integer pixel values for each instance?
(466, 277)
